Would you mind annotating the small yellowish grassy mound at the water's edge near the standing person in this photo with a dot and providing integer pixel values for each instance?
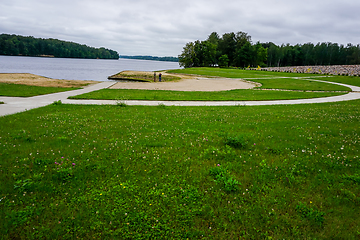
(139, 76)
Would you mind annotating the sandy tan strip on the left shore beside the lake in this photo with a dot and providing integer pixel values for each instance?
(35, 80)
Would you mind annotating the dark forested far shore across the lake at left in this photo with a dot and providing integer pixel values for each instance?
(15, 45)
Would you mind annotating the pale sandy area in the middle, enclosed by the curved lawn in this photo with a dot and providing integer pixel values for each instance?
(190, 83)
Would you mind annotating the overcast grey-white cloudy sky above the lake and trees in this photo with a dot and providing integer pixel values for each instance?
(162, 28)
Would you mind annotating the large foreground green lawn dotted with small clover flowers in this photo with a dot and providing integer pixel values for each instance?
(111, 172)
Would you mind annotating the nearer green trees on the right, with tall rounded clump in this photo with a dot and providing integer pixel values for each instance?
(237, 50)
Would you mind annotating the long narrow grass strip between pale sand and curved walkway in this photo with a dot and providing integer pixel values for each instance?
(232, 95)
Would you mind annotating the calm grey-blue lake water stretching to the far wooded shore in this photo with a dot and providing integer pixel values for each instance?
(78, 69)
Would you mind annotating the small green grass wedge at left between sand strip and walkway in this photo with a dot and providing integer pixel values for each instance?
(19, 90)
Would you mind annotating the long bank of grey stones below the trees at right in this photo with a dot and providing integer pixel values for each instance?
(349, 70)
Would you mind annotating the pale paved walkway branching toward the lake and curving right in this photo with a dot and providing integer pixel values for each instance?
(15, 104)
